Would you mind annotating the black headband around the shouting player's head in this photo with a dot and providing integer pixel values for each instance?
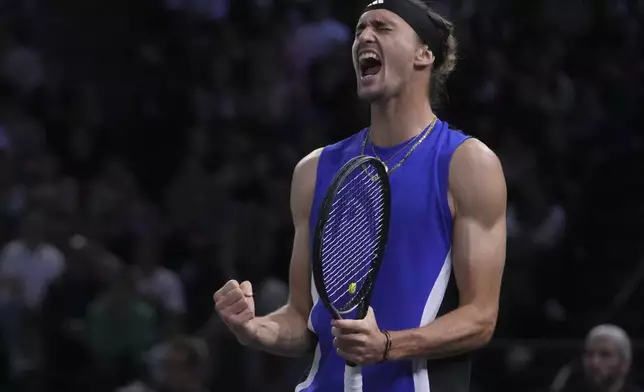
(418, 19)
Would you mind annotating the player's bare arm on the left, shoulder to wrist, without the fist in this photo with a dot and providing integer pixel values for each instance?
(285, 331)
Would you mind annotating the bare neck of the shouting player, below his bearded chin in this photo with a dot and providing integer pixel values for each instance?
(399, 119)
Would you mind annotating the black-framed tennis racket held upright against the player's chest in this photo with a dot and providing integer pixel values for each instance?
(349, 243)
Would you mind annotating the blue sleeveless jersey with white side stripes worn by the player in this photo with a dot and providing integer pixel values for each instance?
(415, 283)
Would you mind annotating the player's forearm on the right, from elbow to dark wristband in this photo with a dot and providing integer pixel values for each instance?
(462, 330)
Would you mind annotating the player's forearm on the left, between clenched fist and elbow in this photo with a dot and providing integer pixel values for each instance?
(283, 332)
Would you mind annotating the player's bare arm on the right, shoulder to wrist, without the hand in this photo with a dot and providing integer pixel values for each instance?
(478, 196)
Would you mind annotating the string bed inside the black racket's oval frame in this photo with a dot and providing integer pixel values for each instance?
(351, 238)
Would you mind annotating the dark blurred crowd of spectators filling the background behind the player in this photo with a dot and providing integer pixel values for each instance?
(146, 149)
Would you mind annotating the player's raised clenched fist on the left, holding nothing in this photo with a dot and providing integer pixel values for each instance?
(235, 305)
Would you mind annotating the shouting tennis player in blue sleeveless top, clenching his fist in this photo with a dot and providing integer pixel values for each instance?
(437, 292)
